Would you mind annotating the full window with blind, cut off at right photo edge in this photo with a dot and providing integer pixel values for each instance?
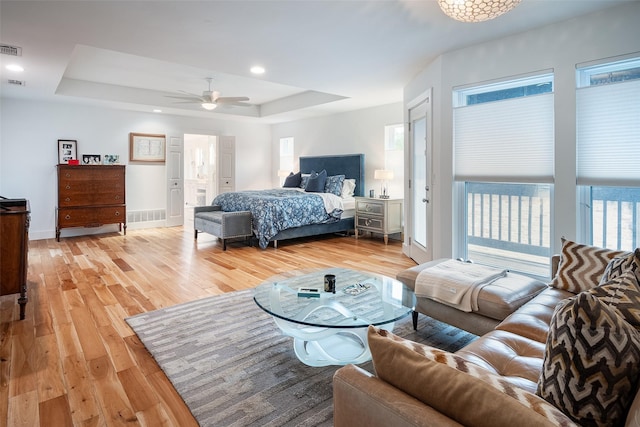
(608, 137)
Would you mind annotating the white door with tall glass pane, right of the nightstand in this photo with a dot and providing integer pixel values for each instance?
(419, 201)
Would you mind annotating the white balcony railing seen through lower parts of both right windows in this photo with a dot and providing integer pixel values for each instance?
(510, 224)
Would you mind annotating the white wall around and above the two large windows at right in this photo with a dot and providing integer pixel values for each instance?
(558, 47)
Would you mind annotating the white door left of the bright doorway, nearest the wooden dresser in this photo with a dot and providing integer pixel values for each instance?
(175, 182)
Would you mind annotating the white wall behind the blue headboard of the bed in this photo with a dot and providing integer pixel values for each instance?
(354, 132)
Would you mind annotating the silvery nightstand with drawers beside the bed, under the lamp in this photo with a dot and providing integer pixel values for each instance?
(382, 216)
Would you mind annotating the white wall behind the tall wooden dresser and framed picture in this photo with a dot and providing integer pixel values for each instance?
(29, 152)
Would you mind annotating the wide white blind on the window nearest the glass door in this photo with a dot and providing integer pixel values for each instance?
(505, 141)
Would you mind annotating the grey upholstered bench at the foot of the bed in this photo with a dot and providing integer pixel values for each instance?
(224, 225)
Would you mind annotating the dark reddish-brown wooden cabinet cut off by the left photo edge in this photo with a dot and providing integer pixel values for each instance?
(14, 244)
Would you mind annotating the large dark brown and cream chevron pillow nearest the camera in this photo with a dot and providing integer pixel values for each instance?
(591, 363)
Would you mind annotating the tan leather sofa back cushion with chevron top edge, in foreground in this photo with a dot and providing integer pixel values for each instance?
(452, 385)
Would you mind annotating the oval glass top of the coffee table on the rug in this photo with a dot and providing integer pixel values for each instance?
(361, 299)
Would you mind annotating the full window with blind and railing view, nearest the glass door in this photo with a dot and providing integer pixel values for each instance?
(504, 146)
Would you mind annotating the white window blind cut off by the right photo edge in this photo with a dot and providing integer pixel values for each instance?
(608, 134)
